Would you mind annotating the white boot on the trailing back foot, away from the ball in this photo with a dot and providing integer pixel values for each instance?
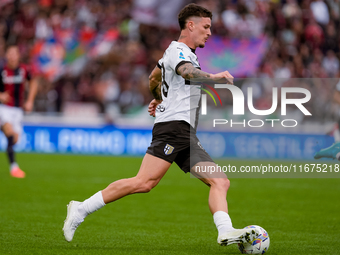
(73, 220)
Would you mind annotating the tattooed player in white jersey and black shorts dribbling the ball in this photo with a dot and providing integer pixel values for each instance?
(175, 107)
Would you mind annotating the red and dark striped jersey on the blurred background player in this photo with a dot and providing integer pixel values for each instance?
(13, 81)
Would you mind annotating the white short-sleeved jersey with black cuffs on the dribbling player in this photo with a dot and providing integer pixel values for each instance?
(181, 100)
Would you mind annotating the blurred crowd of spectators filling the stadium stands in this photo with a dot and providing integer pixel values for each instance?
(304, 42)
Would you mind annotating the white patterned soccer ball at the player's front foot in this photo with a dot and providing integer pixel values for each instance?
(259, 245)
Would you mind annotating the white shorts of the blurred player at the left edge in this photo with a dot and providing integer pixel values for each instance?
(12, 115)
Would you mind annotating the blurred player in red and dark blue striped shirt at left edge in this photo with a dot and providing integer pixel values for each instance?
(13, 78)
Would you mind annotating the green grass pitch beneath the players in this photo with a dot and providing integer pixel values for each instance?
(300, 215)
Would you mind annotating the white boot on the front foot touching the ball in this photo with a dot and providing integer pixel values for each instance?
(246, 235)
